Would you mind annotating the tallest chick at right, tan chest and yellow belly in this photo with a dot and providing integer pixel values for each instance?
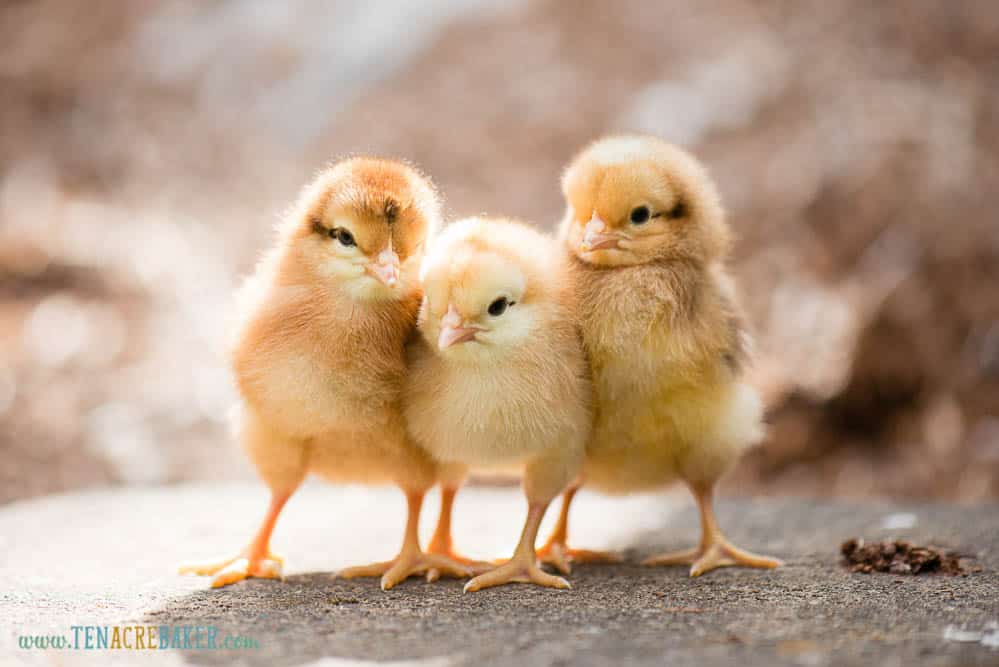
(663, 331)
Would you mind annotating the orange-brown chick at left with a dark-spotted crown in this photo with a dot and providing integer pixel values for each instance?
(319, 354)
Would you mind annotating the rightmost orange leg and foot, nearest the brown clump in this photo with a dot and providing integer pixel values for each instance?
(715, 550)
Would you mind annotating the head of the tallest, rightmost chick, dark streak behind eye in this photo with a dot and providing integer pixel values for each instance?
(635, 200)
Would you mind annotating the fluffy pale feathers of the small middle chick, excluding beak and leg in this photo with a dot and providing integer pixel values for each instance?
(496, 400)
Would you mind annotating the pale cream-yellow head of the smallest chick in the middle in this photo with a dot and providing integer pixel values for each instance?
(486, 289)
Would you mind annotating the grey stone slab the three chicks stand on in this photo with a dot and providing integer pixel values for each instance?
(107, 557)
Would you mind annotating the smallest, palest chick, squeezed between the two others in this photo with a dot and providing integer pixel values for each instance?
(499, 379)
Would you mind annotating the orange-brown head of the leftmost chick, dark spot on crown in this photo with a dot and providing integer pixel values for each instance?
(363, 223)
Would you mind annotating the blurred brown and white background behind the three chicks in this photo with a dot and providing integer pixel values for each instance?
(146, 150)
